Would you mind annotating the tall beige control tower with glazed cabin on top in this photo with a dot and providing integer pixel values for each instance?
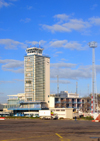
(36, 75)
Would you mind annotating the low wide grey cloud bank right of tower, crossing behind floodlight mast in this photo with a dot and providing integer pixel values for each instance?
(84, 72)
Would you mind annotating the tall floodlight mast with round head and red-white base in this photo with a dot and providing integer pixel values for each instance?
(93, 45)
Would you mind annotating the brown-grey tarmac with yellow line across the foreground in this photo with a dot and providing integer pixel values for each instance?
(48, 130)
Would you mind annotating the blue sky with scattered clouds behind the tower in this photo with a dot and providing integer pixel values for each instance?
(63, 28)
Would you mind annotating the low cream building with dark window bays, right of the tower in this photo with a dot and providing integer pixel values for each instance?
(65, 100)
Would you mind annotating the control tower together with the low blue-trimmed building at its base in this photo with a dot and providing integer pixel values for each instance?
(36, 83)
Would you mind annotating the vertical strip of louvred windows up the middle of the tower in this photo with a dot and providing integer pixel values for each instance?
(39, 78)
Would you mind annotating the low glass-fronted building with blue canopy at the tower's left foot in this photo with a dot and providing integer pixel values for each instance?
(17, 105)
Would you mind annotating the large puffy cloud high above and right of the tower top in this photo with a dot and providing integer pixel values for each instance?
(71, 24)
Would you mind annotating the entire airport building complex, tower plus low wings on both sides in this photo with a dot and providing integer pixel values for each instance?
(36, 94)
